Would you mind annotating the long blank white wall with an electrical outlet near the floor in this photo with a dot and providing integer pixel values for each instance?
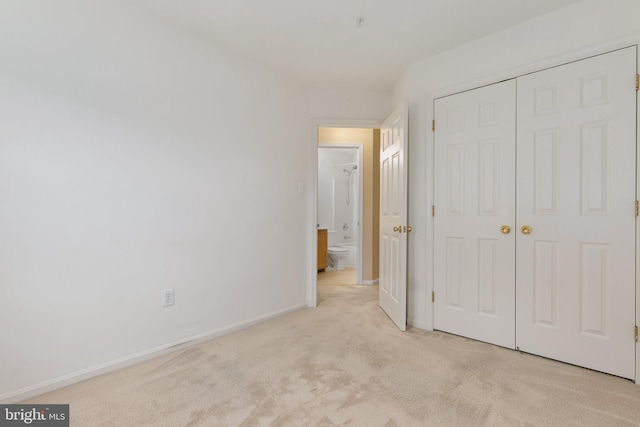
(134, 157)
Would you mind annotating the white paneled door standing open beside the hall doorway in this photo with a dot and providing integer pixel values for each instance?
(393, 217)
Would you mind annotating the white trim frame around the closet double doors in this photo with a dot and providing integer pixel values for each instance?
(550, 62)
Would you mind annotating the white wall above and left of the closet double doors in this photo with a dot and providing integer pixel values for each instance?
(577, 30)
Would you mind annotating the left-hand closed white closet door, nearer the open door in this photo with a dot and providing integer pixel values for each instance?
(474, 199)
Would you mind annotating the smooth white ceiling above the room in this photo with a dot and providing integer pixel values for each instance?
(318, 44)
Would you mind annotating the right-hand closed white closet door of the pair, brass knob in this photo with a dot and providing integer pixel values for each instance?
(575, 213)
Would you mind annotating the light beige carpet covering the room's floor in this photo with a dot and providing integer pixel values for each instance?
(345, 363)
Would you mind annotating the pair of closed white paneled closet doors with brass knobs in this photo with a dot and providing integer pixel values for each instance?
(535, 233)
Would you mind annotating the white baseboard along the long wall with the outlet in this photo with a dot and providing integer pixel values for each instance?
(123, 362)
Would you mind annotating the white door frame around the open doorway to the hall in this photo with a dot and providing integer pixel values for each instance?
(312, 196)
